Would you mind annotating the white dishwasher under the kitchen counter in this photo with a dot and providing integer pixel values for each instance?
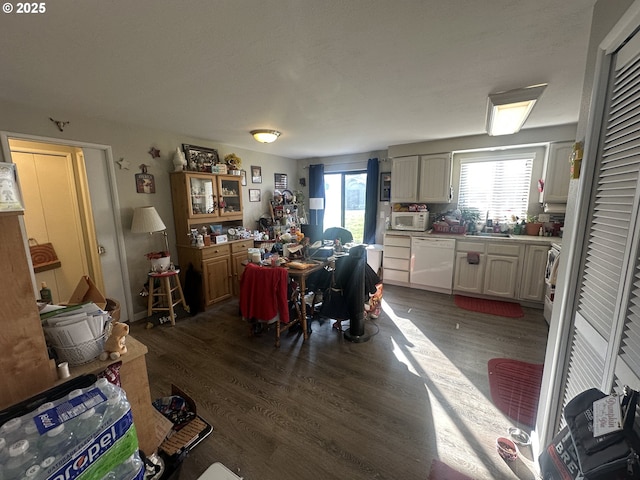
(432, 263)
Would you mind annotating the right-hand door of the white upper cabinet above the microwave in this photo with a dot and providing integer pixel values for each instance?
(435, 179)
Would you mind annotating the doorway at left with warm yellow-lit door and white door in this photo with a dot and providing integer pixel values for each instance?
(68, 185)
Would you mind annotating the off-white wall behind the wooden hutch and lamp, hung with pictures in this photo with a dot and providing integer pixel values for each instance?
(132, 143)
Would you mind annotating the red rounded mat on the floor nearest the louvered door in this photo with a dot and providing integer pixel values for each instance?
(515, 388)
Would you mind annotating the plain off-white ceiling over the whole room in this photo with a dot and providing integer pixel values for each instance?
(335, 76)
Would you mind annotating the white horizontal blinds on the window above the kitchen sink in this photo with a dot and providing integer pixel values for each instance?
(498, 184)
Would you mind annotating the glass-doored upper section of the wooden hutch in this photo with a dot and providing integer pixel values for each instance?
(202, 198)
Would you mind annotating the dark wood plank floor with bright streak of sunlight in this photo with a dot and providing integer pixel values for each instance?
(329, 408)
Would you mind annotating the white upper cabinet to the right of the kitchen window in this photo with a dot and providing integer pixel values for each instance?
(556, 173)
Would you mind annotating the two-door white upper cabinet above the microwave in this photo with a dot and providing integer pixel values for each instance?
(425, 178)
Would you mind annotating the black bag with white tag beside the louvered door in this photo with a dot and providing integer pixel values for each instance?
(610, 456)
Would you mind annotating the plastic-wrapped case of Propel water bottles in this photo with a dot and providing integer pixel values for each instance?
(86, 434)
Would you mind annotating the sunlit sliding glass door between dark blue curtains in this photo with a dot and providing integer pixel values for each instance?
(345, 195)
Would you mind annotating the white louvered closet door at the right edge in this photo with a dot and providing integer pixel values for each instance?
(605, 349)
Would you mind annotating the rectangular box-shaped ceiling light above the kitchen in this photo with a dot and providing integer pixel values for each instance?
(507, 111)
